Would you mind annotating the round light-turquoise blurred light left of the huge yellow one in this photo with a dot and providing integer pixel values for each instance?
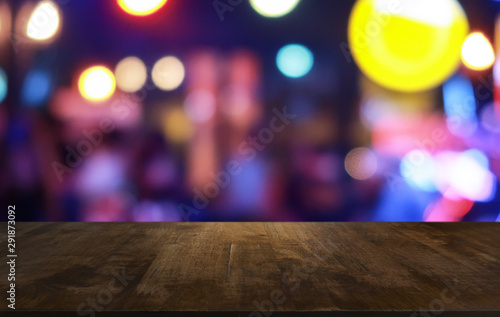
(294, 60)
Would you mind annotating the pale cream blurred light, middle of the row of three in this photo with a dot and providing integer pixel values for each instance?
(131, 74)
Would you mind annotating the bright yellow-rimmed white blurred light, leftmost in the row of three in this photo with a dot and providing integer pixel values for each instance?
(97, 83)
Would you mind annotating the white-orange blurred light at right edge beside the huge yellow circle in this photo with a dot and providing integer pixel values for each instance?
(477, 52)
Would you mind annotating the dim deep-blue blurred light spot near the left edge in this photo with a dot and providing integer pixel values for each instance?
(36, 88)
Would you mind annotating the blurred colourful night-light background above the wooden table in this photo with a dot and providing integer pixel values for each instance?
(260, 110)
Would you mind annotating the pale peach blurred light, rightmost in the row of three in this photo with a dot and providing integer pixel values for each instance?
(168, 73)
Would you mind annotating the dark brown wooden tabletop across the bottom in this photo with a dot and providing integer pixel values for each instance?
(256, 269)
